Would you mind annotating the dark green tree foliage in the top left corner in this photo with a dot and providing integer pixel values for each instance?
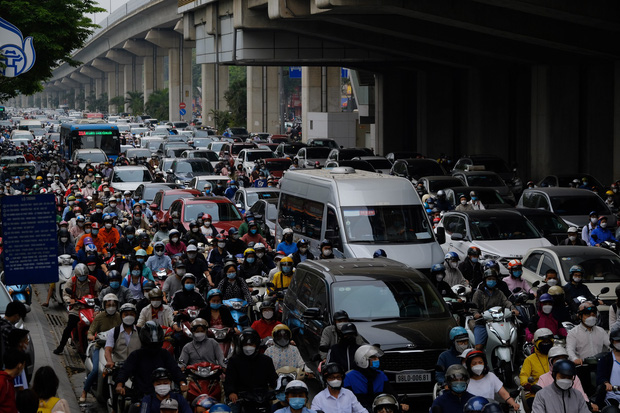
(57, 27)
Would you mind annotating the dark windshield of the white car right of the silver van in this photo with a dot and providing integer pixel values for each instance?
(502, 228)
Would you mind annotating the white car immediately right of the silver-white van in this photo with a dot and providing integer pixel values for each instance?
(501, 235)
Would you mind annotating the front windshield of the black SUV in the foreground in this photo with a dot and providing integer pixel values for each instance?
(387, 299)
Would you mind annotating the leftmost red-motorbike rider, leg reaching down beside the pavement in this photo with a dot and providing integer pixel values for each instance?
(79, 285)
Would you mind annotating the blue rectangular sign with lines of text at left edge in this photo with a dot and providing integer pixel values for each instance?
(30, 240)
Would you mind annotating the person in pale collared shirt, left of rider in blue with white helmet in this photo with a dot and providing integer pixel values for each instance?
(335, 398)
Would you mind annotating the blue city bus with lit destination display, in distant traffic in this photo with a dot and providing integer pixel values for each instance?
(103, 136)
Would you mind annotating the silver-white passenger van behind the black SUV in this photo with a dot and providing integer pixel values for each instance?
(359, 212)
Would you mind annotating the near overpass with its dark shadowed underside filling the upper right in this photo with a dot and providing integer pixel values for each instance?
(534, 81)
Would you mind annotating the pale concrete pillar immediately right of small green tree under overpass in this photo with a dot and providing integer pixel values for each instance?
(263, 99)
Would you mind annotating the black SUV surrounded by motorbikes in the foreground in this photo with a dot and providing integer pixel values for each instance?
(391, 304)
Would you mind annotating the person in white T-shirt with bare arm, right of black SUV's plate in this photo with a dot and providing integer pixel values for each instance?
(483, 382)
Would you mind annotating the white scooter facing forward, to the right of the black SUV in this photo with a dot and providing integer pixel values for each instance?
(501, 344)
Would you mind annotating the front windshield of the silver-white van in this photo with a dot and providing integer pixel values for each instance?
(388, 224)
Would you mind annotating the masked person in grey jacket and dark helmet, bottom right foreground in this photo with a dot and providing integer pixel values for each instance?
(561, 397)
